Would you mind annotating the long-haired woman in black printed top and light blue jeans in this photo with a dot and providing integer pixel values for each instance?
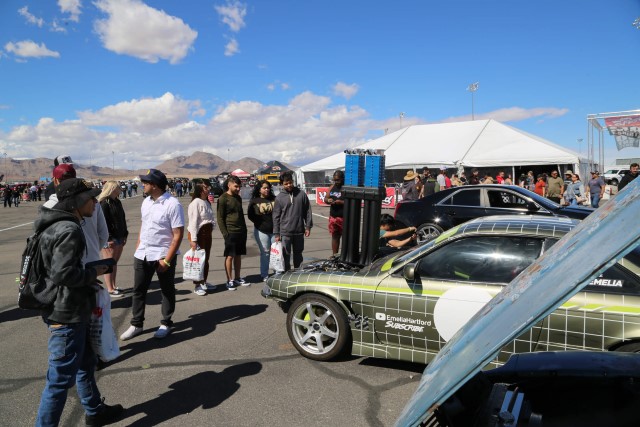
(260, 212)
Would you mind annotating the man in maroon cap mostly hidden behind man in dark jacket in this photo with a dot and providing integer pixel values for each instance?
(94, 227)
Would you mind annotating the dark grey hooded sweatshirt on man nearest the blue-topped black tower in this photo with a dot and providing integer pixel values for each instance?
(292, 213)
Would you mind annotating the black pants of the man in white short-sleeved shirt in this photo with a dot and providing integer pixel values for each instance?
(143, 273)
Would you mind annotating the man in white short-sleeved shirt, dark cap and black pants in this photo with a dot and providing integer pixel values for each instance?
(160, 236)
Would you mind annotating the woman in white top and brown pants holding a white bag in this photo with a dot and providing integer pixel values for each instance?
(201, 225)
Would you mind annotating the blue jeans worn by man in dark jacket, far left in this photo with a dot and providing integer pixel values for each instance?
(71, 361)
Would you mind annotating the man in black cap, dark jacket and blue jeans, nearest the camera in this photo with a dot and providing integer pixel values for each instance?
(71, 359)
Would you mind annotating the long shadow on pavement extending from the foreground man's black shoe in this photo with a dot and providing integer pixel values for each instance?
(205, 389)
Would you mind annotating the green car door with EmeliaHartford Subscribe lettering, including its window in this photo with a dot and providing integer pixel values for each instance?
(451, 283)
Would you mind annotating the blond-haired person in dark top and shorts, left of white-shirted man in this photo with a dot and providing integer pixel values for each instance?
(118, 232)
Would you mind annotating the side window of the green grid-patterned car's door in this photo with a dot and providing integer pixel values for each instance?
(481, 259)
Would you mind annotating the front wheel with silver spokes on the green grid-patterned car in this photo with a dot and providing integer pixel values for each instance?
(318, 327)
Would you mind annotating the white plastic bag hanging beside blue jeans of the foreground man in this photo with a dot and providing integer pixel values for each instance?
(101, 334)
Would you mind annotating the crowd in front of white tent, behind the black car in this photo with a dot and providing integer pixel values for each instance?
(568, 191)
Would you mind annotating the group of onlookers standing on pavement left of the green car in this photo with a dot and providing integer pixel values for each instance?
(81, 223)
